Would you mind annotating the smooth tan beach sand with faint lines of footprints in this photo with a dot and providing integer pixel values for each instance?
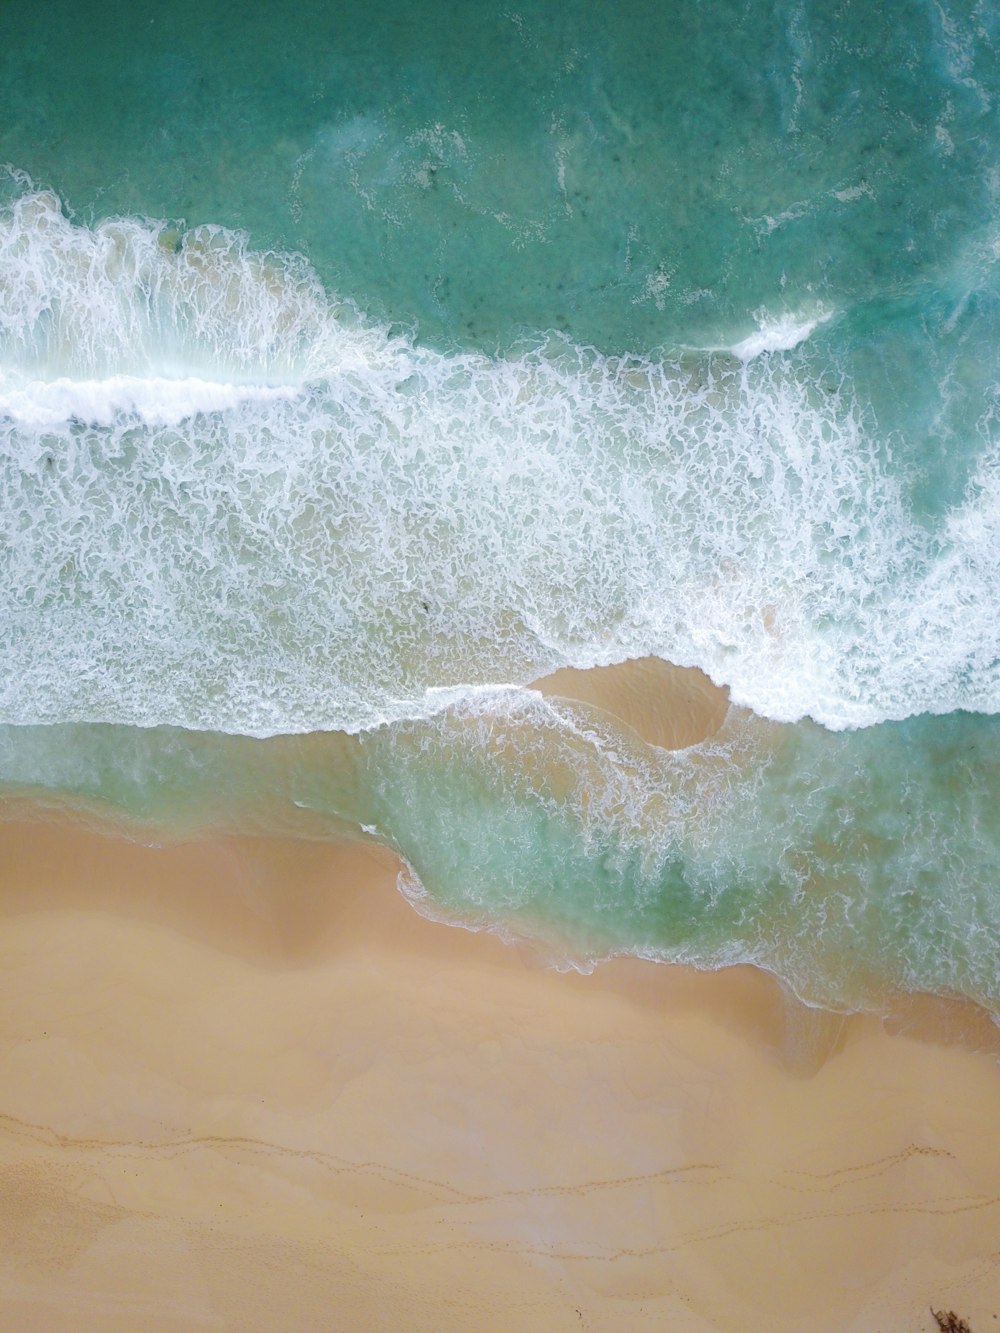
(245, 1087)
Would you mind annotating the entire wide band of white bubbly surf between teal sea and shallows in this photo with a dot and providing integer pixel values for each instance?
(231, 503)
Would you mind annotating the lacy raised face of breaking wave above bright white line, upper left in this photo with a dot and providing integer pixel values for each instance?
(145, 299)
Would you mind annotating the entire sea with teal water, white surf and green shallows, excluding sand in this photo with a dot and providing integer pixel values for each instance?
(359, 369)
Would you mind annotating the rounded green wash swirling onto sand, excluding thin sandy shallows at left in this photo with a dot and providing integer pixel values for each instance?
(849, 864)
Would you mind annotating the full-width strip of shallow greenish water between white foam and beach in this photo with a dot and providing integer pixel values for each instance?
(853, 866)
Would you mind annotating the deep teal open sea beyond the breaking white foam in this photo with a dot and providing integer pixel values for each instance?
(633, 175)
